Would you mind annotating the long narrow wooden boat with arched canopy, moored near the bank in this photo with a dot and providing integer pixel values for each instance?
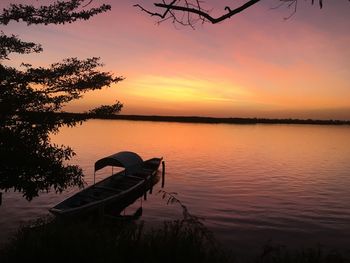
(136, 176)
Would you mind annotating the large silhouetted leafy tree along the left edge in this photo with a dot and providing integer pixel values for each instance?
(31, 96)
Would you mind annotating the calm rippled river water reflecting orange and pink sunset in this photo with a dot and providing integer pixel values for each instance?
(251, 183)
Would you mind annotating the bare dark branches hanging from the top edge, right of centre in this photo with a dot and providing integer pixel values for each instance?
(190, 12)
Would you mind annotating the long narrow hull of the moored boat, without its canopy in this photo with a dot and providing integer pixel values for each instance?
(116, 191)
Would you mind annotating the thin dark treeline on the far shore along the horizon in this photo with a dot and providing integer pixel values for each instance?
(194, 119)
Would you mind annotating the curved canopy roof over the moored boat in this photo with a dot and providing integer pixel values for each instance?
(128, 160)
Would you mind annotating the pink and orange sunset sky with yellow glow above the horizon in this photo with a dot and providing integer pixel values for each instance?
(256, 64)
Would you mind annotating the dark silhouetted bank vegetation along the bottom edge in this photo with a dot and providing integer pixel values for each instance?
(113, 240)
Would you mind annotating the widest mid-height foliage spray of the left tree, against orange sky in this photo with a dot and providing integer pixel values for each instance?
(49, 89)
